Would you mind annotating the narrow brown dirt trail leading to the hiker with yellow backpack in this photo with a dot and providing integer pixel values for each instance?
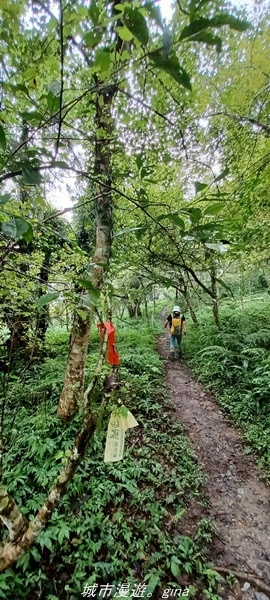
(238, 501)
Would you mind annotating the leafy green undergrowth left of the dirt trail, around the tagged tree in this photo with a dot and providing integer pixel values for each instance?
(118, 523)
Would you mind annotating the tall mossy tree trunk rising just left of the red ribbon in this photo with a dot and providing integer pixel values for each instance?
(72, 392)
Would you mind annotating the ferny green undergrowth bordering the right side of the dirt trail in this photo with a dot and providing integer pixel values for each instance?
(234, 362)
